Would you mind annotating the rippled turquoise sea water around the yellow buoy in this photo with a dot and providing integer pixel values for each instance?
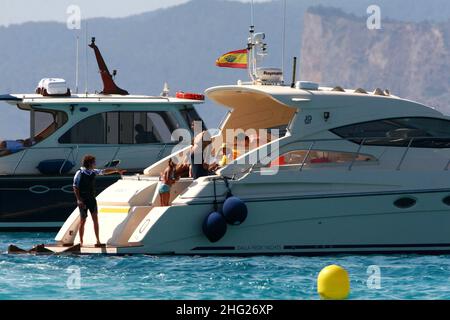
(195, 277)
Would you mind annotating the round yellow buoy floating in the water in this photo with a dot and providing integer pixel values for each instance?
(333, 283)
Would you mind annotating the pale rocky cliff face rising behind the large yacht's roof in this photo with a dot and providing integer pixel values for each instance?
(410, 59)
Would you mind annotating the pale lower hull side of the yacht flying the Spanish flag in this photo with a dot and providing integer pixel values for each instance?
(306, 225)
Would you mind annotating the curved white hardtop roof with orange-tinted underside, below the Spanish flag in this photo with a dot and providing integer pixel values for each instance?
(268, 106)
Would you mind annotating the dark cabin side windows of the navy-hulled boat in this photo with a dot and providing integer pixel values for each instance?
(122, 128)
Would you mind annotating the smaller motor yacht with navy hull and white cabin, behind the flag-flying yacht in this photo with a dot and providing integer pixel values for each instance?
(119, 129)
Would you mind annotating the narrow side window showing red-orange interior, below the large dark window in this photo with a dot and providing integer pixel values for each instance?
(297, 157)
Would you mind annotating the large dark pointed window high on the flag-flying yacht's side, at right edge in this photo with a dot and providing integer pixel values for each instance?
(399, 132)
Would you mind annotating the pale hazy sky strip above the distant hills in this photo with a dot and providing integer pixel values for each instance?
(19, 11)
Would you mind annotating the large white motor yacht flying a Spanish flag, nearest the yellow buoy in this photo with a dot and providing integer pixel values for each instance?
(352, 172)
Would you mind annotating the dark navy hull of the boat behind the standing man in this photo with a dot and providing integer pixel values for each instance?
(39, 203)
